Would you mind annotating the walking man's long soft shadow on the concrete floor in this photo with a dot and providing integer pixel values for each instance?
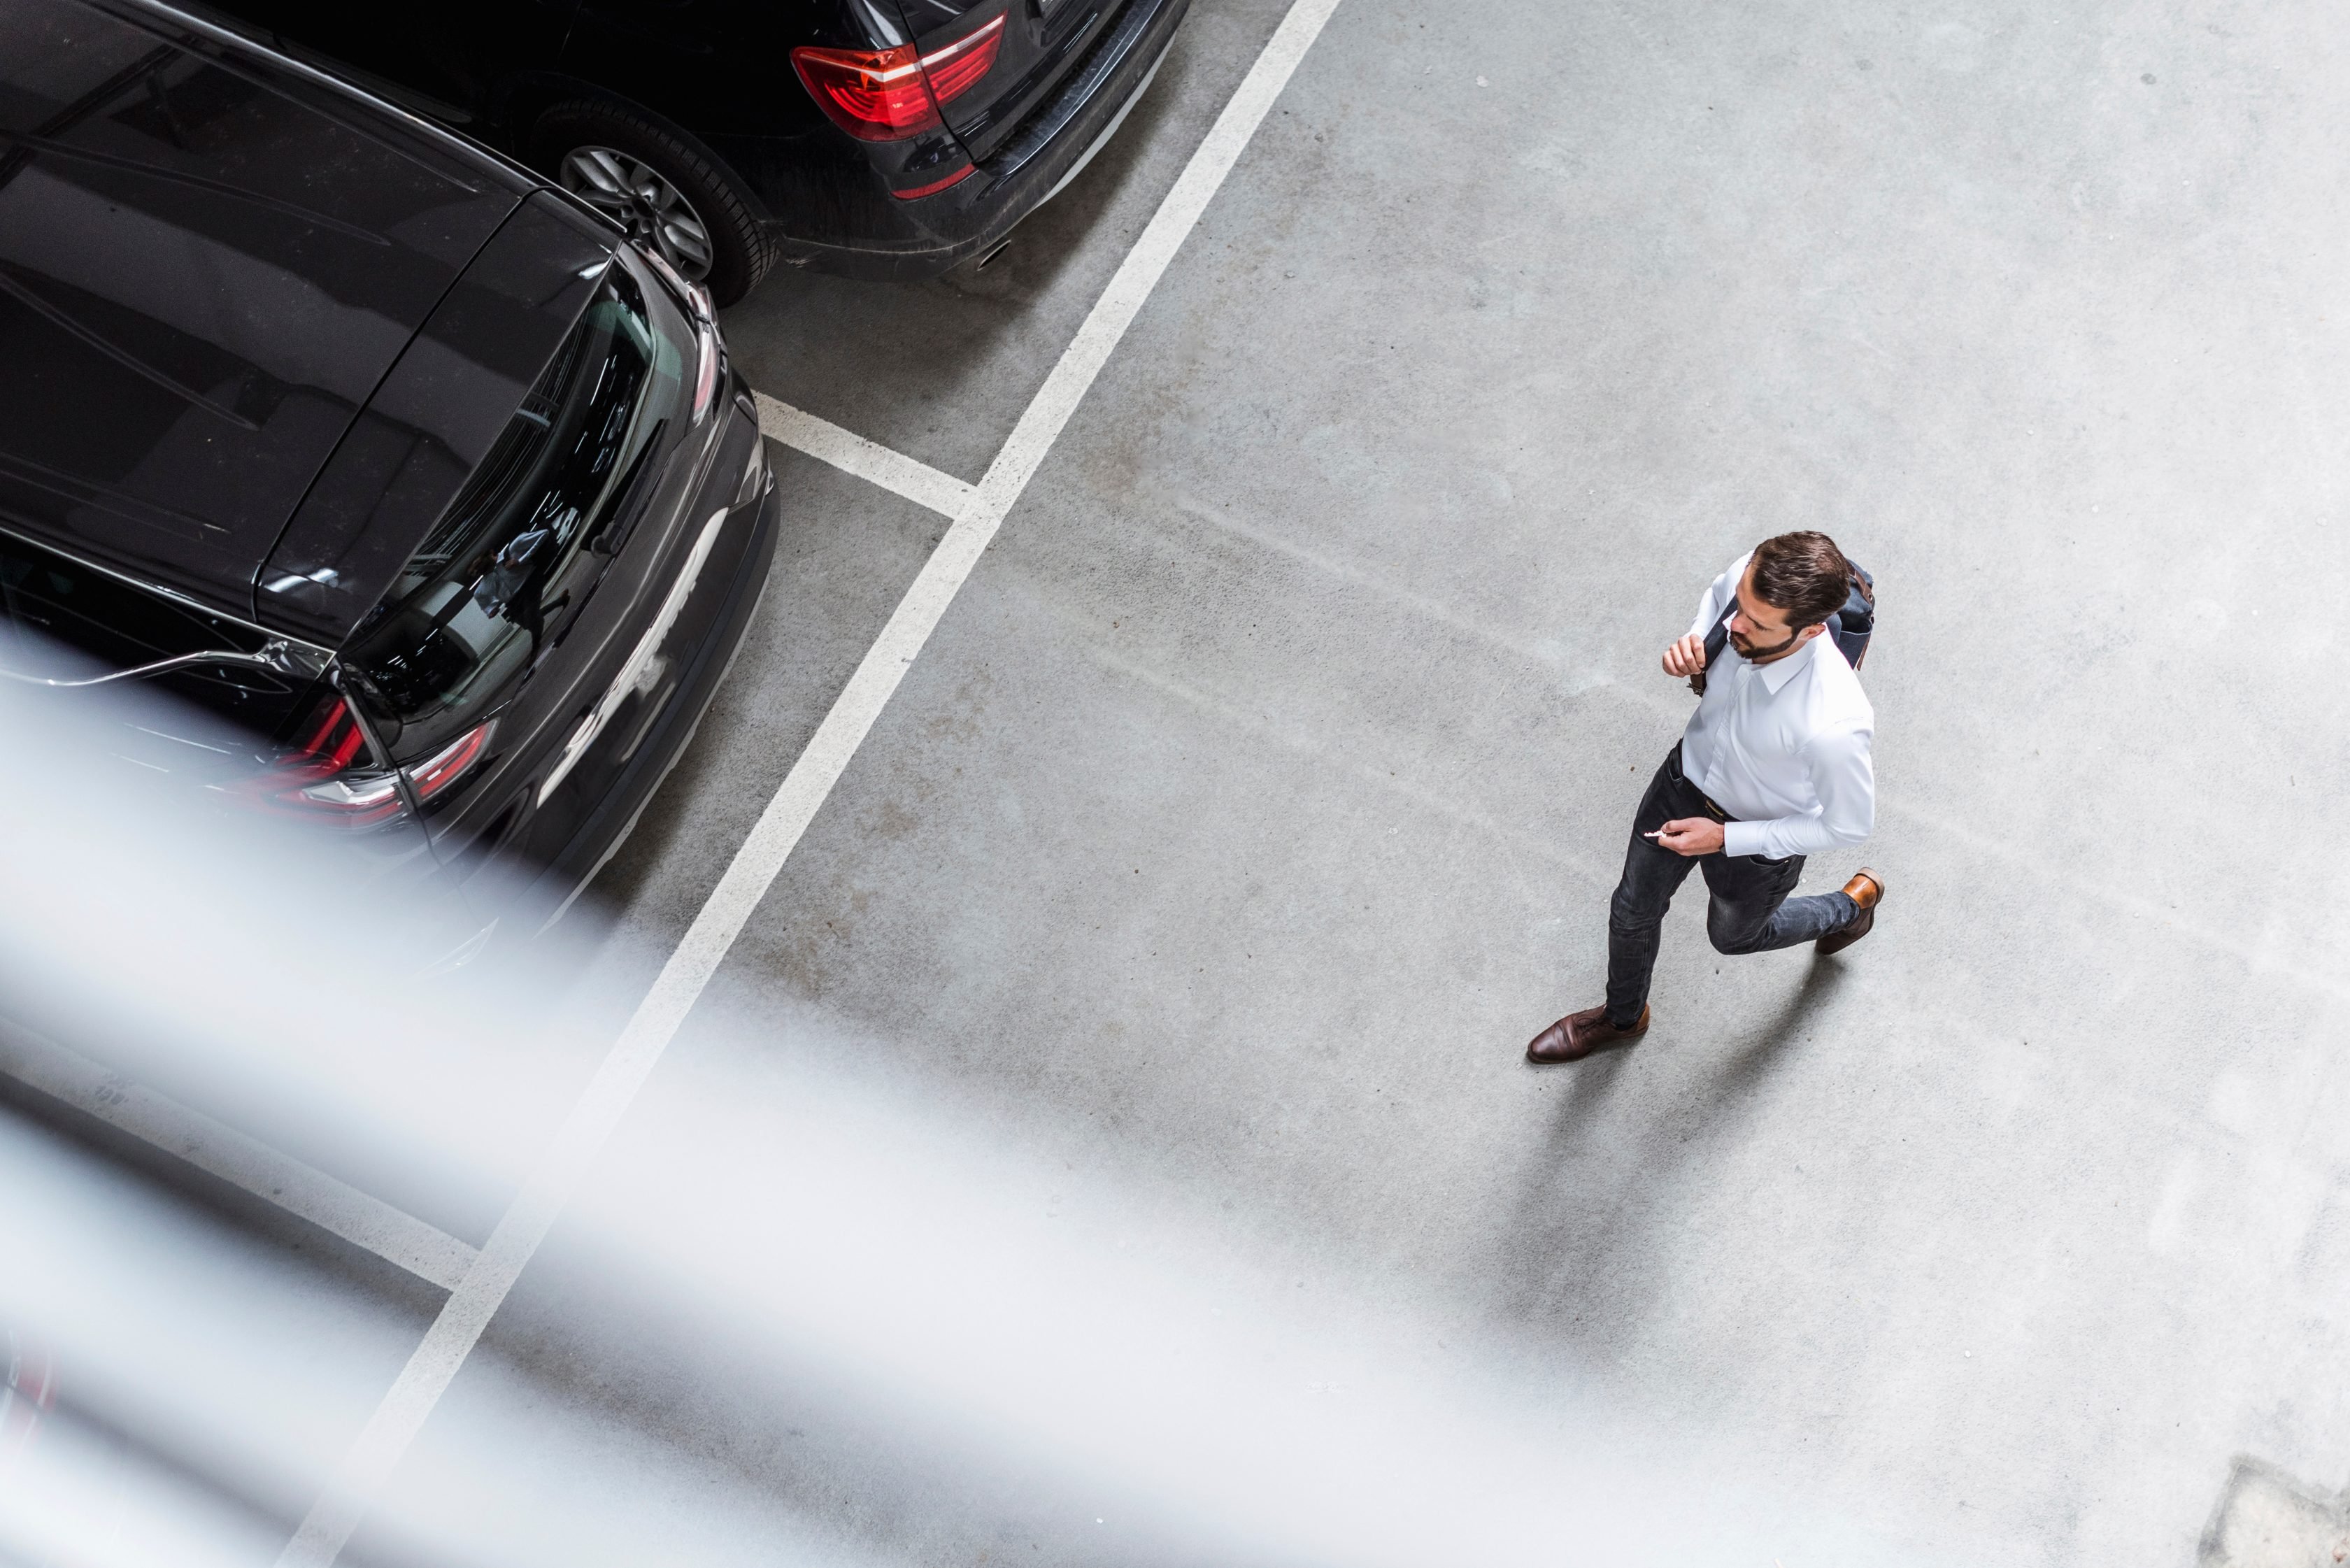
(1578, 1252)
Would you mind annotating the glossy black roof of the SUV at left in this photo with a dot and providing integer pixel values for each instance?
(210, 257)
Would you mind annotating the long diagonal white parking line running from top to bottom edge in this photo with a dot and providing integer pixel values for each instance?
(788, 815)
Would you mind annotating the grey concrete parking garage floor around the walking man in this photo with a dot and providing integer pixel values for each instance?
(1263, 789)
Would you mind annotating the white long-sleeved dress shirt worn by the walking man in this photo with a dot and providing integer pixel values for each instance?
(1782, 746)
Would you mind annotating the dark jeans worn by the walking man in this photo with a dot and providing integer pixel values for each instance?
(1750, 913)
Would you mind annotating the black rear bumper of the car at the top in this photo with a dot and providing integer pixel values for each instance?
(932, 234)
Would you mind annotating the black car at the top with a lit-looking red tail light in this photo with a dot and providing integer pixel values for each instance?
(871, 138)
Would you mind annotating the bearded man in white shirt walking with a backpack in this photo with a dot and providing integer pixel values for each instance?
(1771, 770)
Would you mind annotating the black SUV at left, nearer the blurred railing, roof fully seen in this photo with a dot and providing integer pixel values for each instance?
(431, 497)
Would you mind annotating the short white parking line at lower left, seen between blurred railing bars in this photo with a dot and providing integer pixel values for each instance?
(222, 1151)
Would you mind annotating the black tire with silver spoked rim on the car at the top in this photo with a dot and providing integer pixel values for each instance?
(739, 250)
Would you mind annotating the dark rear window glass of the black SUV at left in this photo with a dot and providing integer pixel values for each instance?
(518, 549)
